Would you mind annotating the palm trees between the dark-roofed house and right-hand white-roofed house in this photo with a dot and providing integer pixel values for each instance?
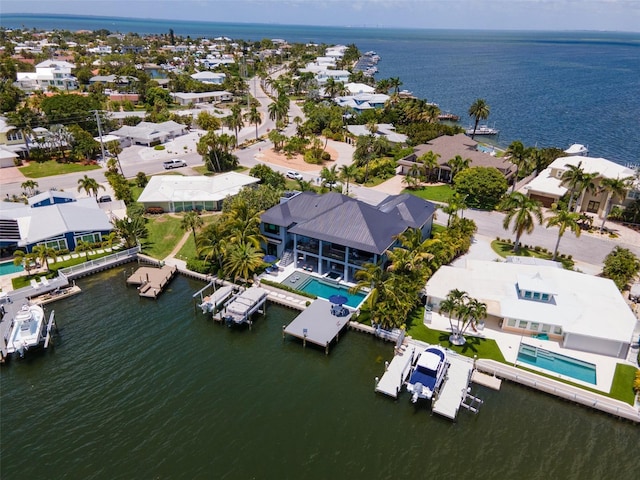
(395, 285)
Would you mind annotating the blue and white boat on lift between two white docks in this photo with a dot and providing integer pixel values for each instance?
(428, 373)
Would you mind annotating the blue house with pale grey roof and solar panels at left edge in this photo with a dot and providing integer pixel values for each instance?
(56, 219)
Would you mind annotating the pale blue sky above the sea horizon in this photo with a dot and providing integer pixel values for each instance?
(614, 15)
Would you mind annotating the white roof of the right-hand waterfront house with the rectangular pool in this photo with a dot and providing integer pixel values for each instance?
(582, 304)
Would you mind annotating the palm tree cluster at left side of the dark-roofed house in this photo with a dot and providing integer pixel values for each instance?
(232, 244)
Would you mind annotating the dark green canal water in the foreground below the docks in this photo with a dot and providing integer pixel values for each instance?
(136, 388)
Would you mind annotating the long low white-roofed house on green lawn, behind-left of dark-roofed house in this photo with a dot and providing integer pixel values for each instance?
(175, 193)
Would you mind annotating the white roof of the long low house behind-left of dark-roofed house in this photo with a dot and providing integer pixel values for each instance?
(175, 188)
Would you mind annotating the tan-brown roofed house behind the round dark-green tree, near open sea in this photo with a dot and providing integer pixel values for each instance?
(447, 147)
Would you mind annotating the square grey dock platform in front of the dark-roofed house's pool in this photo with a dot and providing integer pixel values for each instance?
(317, 324)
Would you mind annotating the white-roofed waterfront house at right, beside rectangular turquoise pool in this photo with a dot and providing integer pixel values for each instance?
(581, 312)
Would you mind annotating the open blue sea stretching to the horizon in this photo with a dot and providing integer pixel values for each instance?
(544, 88)
